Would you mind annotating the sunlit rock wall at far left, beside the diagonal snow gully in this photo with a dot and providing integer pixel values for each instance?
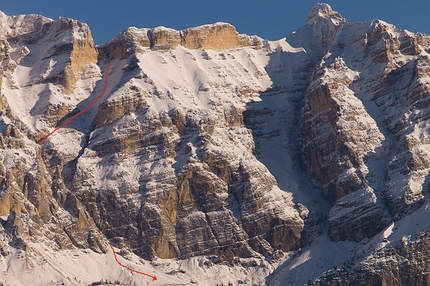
(33, 204)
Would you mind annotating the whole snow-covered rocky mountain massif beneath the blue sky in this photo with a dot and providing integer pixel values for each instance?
(206, 156)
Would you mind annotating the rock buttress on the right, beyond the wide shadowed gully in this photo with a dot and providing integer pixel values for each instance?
(344, 134)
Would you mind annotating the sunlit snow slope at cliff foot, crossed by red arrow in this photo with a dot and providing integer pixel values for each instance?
(42, 266)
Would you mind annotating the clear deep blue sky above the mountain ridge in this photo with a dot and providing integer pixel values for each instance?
(269, 19)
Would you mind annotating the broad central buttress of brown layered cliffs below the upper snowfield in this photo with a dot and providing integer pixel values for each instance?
(203, 201)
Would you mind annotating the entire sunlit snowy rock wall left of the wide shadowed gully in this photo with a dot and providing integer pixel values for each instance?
(185, 195)
